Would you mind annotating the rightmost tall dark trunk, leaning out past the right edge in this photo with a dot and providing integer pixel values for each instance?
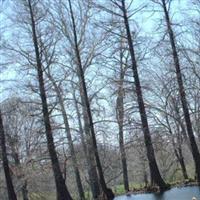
(194, 147)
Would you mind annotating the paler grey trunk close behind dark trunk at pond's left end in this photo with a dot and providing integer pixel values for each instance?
(88, 150)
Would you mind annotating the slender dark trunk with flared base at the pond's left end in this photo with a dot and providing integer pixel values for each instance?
(107, 192)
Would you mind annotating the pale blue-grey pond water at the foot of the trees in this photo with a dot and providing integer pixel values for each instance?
(183, 193)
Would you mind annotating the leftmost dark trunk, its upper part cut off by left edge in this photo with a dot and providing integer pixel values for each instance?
(9, 184)
